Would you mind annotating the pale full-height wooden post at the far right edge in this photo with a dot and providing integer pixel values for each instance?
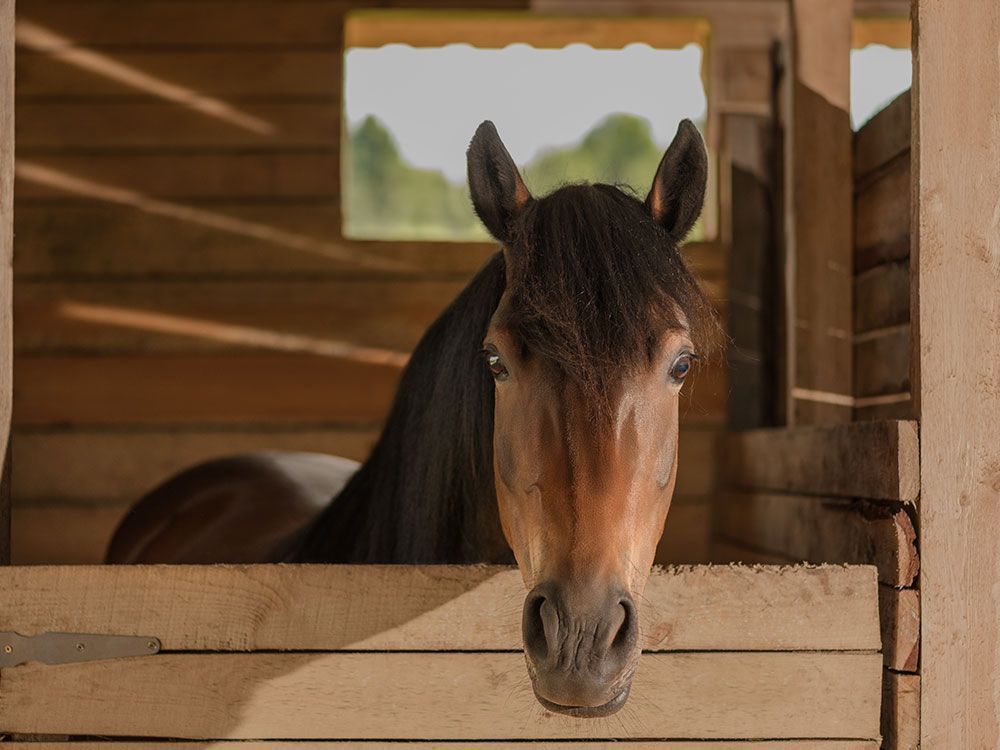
(955, 264)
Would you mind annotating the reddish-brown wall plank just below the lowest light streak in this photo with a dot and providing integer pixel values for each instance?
(206, 389)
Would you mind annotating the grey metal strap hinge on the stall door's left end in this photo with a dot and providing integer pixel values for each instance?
(64, 648)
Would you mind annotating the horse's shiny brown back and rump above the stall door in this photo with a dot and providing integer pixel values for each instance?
(238, 509)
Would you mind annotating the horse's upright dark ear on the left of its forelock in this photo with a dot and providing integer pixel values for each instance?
(498, 192)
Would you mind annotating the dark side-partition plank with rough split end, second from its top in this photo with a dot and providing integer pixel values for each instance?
(824, 531)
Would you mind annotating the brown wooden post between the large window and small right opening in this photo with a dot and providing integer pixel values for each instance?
(818, 206)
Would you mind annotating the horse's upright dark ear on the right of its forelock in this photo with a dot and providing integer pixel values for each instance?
(678, 191)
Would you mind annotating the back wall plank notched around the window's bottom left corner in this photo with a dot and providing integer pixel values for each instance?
(268, 240)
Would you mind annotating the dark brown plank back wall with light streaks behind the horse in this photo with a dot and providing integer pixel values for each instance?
(182, 288)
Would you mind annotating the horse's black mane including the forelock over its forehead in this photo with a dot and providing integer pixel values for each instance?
(593, 282)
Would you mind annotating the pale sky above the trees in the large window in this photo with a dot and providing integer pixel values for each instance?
(433, 99)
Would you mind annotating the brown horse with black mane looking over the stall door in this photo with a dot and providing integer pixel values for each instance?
(539, 415)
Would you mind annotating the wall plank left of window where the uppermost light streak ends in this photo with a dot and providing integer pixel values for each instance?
(86, 125)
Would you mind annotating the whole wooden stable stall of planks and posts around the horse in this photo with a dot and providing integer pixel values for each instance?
(170, 266)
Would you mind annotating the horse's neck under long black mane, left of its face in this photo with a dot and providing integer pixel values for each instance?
(426, 493)
